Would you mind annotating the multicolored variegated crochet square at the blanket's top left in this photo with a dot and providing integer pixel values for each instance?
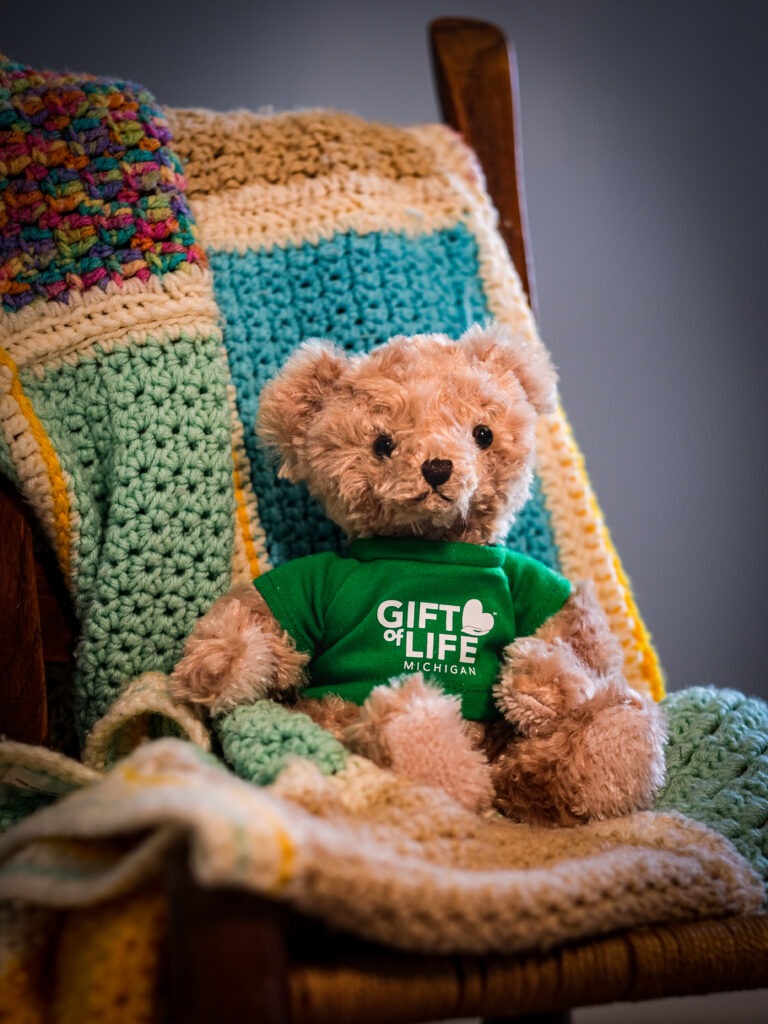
(90, 191)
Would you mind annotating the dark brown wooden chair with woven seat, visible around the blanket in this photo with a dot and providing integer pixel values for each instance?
(233, 957)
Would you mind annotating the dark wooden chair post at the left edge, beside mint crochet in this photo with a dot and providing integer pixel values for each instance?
(23, 703)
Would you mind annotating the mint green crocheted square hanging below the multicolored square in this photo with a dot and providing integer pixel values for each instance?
(144, 434)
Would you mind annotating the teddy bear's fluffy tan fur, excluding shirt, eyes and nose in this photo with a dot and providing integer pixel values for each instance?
(576, 743)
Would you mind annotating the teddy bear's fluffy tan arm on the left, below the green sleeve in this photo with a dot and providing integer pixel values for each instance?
(237, 654)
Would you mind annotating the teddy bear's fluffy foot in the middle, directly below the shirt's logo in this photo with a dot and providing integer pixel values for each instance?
(418, 732)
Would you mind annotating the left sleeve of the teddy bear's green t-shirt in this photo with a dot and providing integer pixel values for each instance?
(298, 593)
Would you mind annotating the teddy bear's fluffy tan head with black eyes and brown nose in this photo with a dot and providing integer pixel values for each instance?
(423, 438)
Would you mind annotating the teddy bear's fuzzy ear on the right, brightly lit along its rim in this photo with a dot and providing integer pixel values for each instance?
(495, 346)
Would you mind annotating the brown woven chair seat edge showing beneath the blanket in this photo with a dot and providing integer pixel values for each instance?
(355, 984)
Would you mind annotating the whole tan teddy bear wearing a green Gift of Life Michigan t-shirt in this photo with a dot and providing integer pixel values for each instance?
(430, 648)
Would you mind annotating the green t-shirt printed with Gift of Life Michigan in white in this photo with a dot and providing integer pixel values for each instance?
(395, 607)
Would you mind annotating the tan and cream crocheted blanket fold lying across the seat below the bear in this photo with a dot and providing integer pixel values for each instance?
(369, 852)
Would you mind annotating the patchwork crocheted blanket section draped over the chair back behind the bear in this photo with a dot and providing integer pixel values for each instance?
(124, 420)
